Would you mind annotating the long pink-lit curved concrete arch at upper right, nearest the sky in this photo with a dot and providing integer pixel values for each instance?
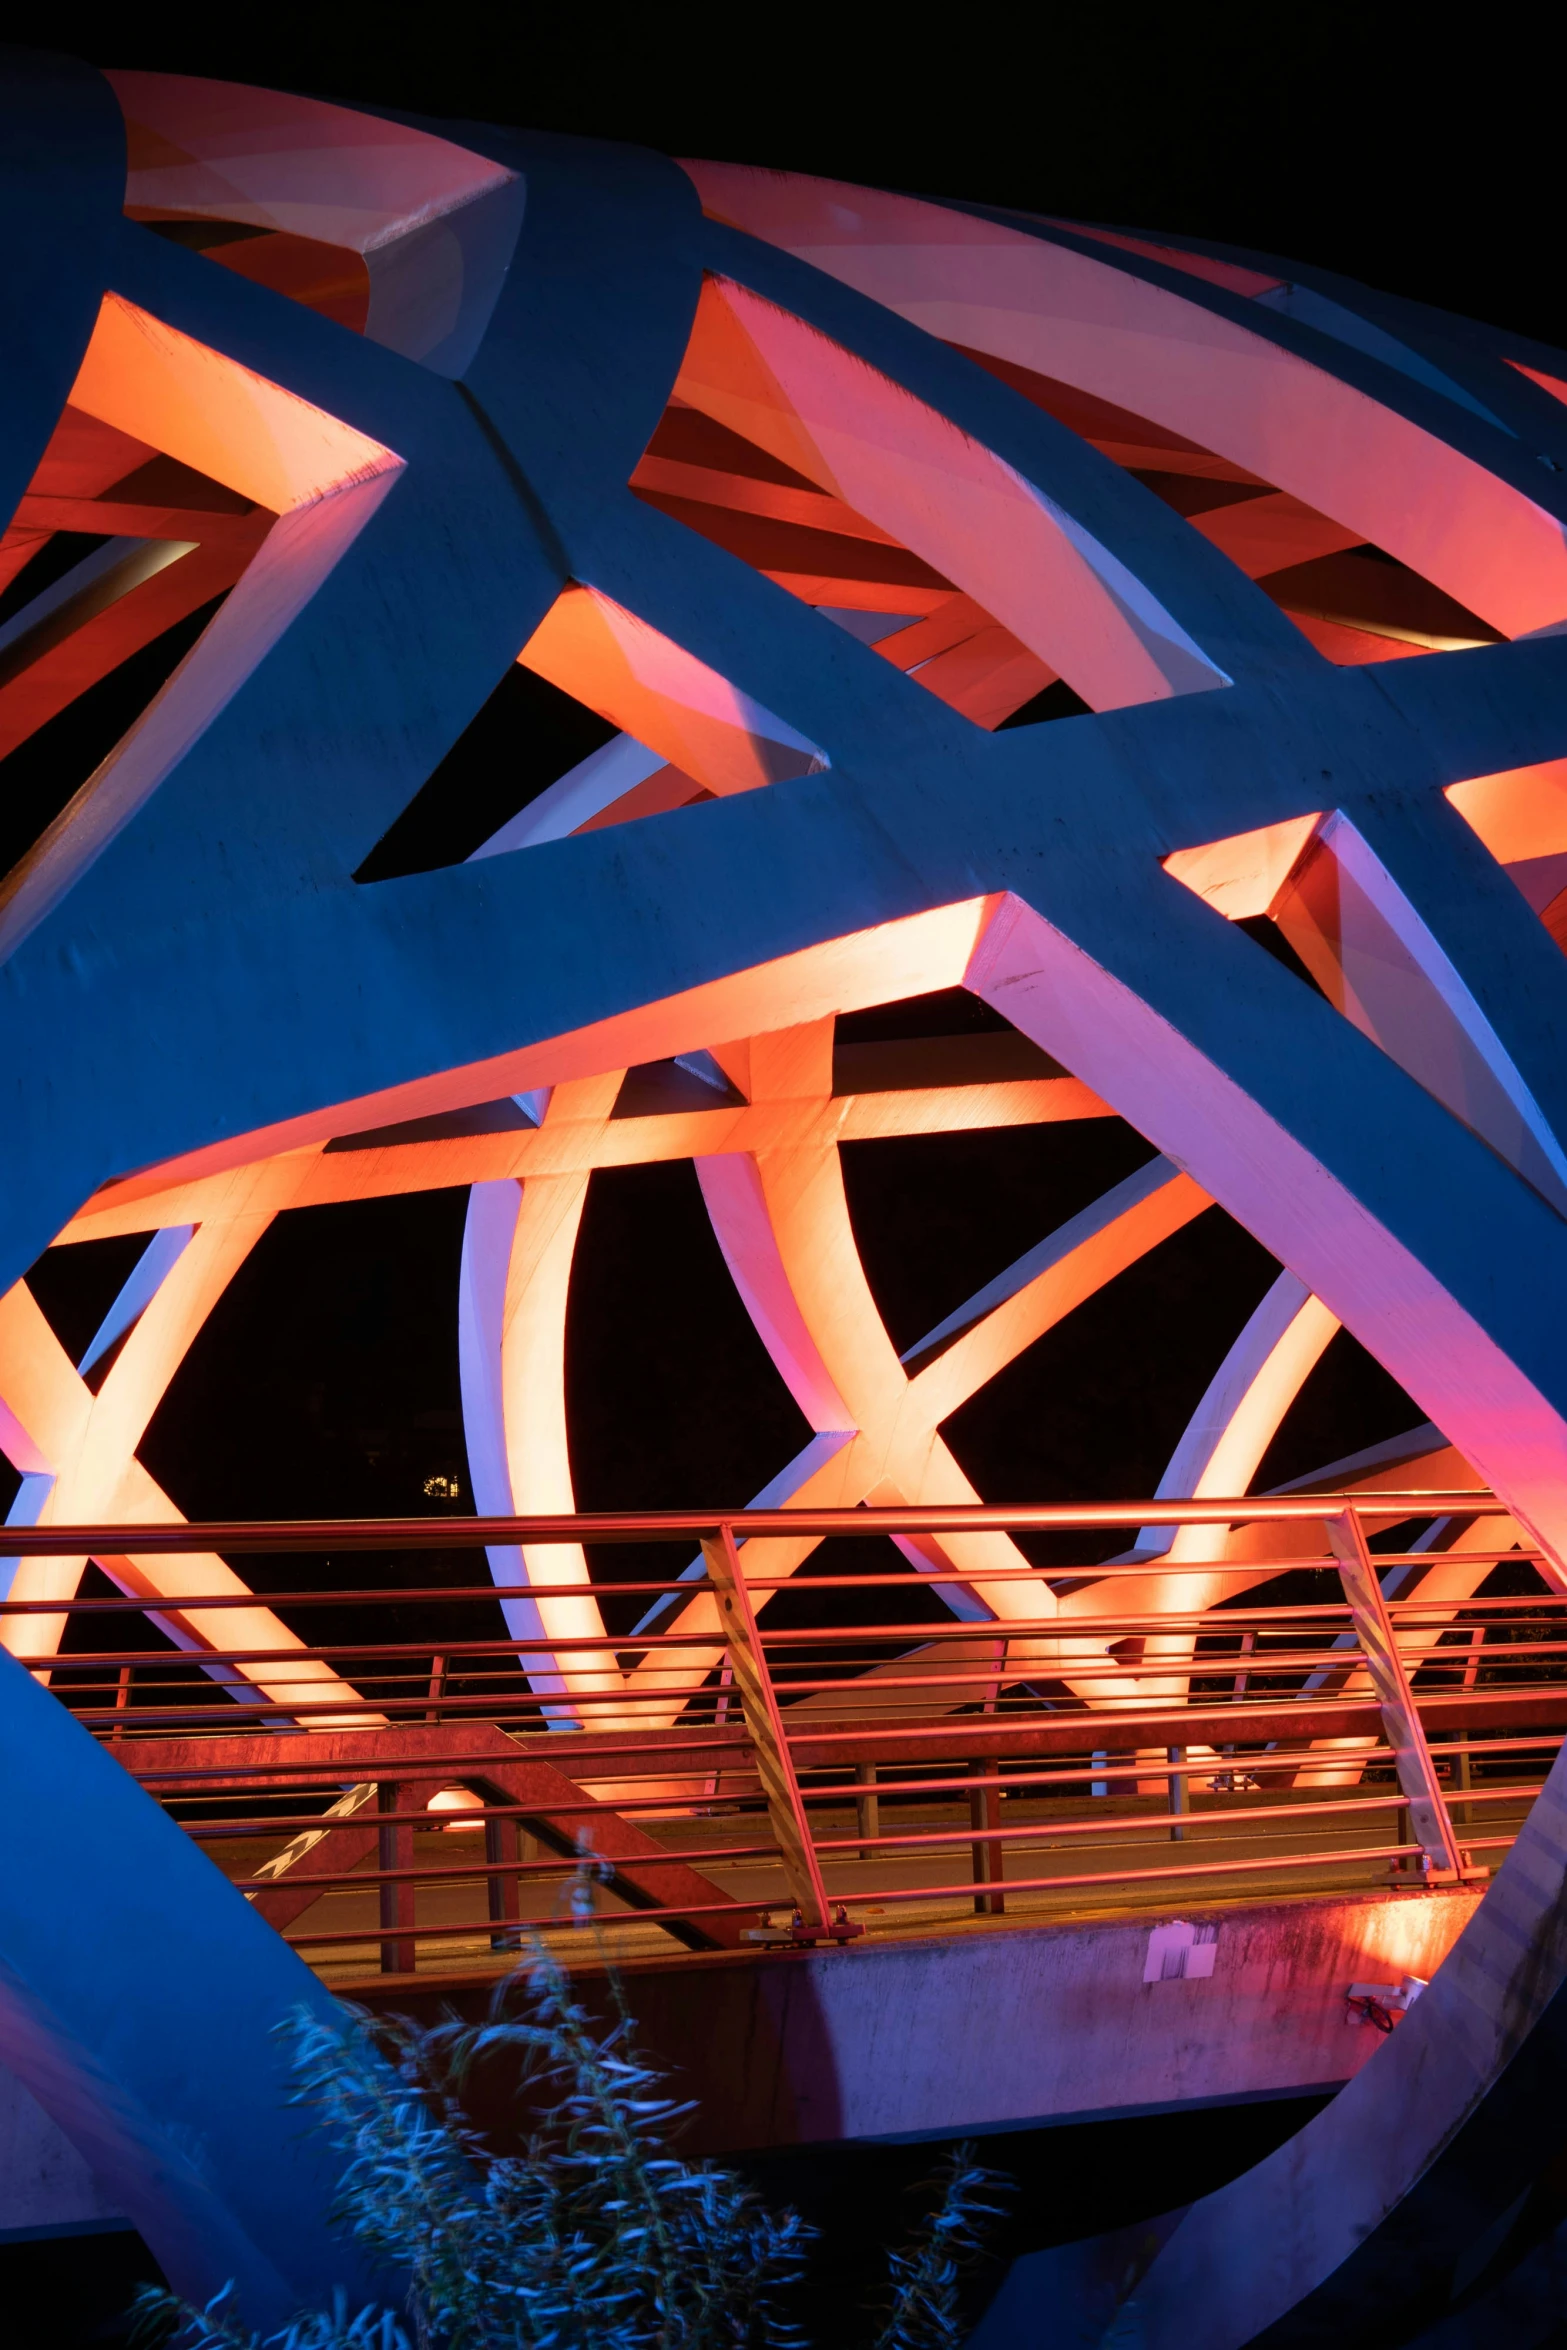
(1190, 361)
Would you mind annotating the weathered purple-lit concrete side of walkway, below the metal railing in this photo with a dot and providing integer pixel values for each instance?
(1011, 2027)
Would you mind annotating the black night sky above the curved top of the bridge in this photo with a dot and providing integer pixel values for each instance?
(1413, 149)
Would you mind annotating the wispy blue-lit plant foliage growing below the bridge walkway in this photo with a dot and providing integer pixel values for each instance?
(589, 2236)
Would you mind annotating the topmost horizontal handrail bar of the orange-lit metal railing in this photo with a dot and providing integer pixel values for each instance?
(285, 1536)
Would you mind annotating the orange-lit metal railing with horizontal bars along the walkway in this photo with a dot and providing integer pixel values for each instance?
(741, 1778)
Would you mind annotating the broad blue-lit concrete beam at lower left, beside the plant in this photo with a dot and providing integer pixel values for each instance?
(175, 2088)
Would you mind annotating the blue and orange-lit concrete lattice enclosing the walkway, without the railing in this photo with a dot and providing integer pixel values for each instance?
(819, 502)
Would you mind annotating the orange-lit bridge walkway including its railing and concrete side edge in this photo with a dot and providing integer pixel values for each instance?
(1190, 1822)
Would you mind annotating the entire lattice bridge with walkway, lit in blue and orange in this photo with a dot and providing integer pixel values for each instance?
(1023, 772)
